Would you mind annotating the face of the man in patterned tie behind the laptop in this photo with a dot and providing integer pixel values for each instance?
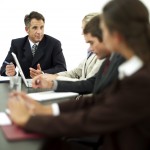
(35, 30)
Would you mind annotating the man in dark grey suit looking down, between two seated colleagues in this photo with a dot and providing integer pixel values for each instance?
(95, 84)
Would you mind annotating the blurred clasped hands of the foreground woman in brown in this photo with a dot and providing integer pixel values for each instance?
(22, 107)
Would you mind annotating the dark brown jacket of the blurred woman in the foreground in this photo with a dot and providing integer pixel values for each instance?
(121, 114)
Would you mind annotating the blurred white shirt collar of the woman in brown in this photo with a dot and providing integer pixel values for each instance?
(130, 67)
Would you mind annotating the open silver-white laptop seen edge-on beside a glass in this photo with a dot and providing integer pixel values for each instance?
(28, 82)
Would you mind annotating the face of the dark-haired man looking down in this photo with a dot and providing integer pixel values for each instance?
(96, 46)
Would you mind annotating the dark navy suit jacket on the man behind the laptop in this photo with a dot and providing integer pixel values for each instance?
(49, 55)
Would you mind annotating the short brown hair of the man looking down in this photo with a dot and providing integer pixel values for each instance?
(93, 27)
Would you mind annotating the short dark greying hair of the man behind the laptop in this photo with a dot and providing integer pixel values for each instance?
(33, 15)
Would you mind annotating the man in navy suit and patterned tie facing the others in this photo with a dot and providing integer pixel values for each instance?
(45, 57)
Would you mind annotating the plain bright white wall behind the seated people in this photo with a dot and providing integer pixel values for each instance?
(63, 21)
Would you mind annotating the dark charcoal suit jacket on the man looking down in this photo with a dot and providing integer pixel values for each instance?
(96, 83)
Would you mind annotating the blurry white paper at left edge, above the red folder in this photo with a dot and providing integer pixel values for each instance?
(4, 119)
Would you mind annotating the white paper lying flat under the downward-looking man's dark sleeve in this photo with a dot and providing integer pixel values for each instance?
(51, 95)
